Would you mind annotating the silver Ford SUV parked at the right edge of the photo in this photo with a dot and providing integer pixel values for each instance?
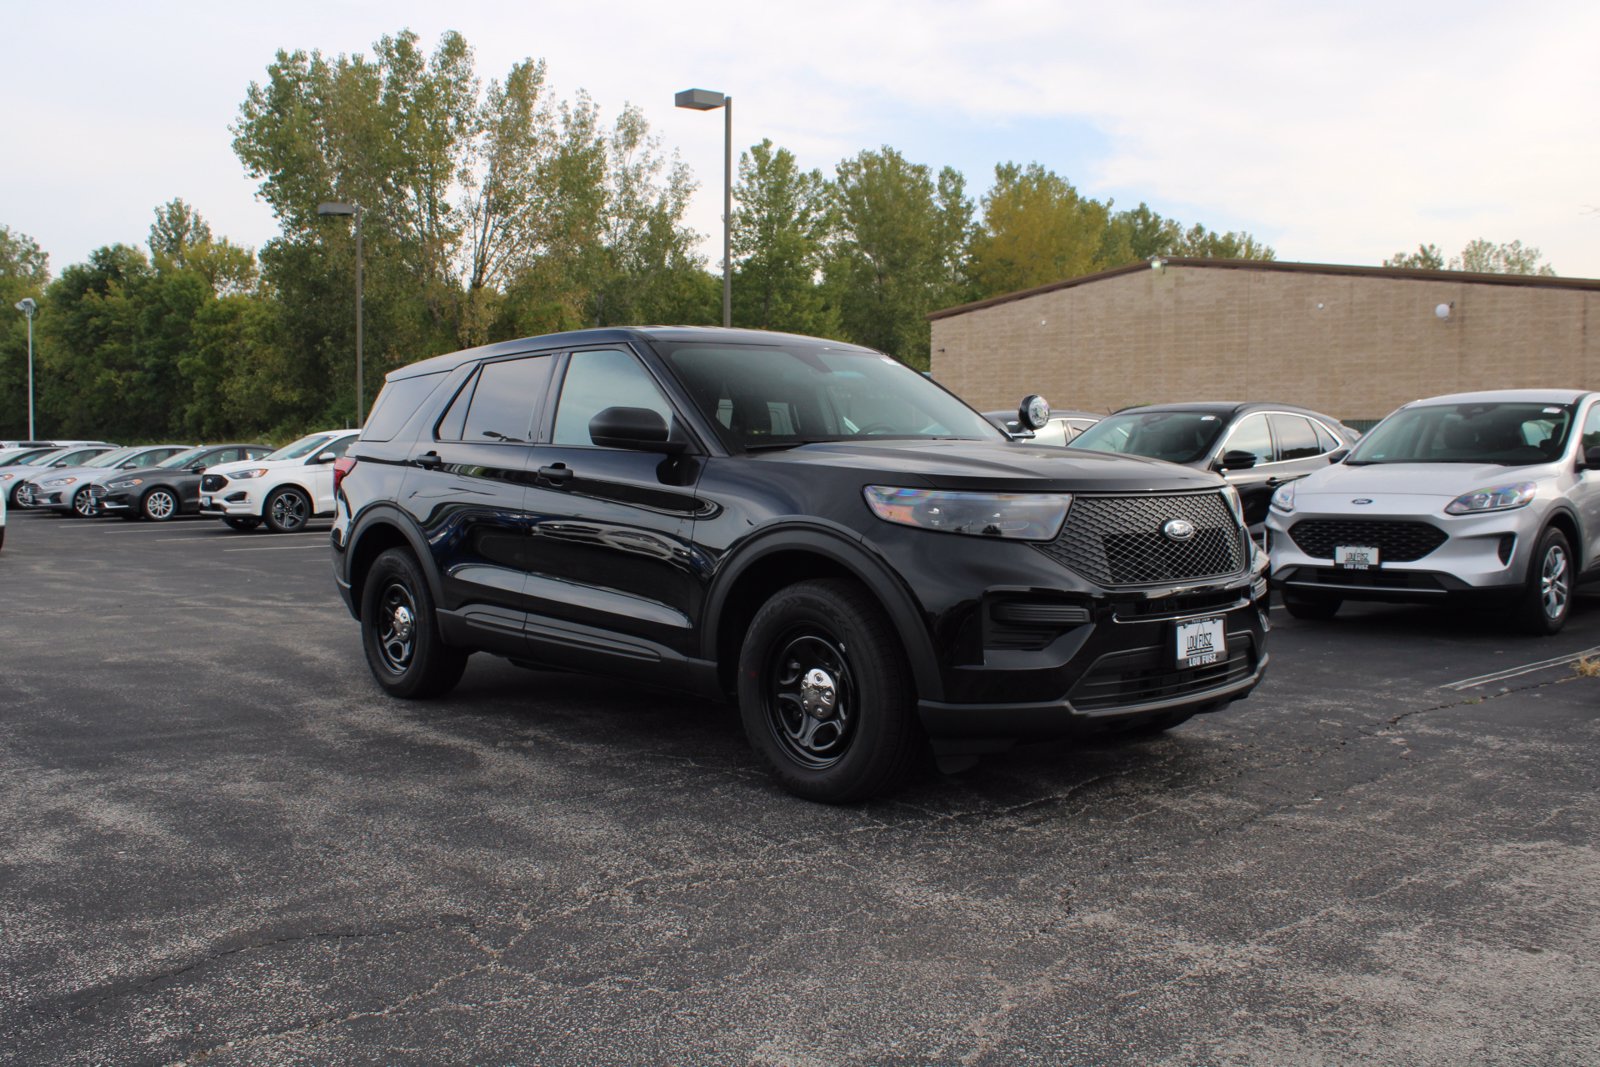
(1474, 497)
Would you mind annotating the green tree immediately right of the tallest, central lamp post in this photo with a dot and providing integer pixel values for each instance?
(782, 225)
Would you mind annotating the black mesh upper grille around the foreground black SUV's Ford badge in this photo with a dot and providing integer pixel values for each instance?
(1119, 541)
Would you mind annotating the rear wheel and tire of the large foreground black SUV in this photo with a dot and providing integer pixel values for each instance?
(401, 631)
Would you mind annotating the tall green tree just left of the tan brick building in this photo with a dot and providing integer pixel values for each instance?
(898, 250)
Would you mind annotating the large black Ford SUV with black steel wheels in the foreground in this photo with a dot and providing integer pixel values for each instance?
(809, 527)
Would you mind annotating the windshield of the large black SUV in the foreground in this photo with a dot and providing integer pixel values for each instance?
(780, 396)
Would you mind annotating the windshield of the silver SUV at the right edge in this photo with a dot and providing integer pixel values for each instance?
(1508, 434)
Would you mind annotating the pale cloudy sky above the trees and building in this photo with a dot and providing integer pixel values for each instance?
(1337, 132)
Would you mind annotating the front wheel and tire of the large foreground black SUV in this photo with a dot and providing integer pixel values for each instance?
(826, 695)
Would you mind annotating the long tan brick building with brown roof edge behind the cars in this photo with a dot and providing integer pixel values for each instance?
(1351, 342)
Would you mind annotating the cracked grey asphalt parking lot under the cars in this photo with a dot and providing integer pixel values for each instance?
(223, 845)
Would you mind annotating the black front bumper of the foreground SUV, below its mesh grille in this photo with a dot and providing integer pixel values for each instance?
(1121, 660)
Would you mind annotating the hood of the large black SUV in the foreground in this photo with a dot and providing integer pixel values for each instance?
(961, 465)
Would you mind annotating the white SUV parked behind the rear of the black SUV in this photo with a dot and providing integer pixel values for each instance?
(286, 490)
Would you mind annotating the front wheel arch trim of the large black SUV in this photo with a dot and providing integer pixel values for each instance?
(793, 556)
